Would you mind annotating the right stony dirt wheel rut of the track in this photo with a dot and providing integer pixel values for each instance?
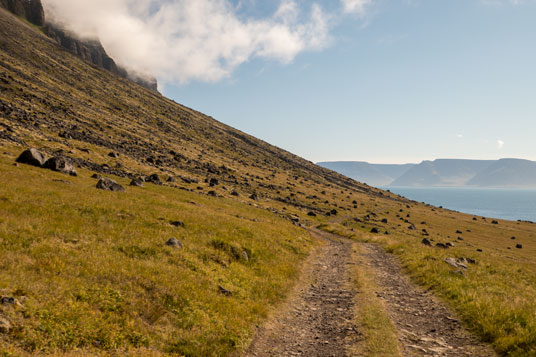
(426, 327)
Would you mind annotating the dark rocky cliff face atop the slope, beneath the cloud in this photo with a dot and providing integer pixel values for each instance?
(89, 50)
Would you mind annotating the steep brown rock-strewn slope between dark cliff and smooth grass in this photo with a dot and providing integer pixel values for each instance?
(53, 96)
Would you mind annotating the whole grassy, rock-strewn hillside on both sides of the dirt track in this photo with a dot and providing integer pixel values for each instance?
(91, 271)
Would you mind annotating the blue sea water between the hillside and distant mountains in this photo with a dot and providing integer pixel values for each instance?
(511, 204)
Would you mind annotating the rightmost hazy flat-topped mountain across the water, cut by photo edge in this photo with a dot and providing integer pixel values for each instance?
(507, 173)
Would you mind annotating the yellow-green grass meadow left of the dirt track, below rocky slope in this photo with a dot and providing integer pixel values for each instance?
(94, 273)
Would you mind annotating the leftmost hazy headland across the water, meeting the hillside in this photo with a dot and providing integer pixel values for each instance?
(372, 174)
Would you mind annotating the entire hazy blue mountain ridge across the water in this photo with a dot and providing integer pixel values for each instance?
(503, 173)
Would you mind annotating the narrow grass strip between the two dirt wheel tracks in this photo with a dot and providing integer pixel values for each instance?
(380, 337)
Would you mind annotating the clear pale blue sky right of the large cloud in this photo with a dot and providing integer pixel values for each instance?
(396, 81)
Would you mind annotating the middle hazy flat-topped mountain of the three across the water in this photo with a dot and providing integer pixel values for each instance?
(441, 172)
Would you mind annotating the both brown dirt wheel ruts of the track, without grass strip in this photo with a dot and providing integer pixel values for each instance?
(318, 320)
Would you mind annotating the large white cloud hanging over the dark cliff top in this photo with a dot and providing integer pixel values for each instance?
(183, 40)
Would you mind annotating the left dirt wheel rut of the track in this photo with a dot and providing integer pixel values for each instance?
(318, 319)
